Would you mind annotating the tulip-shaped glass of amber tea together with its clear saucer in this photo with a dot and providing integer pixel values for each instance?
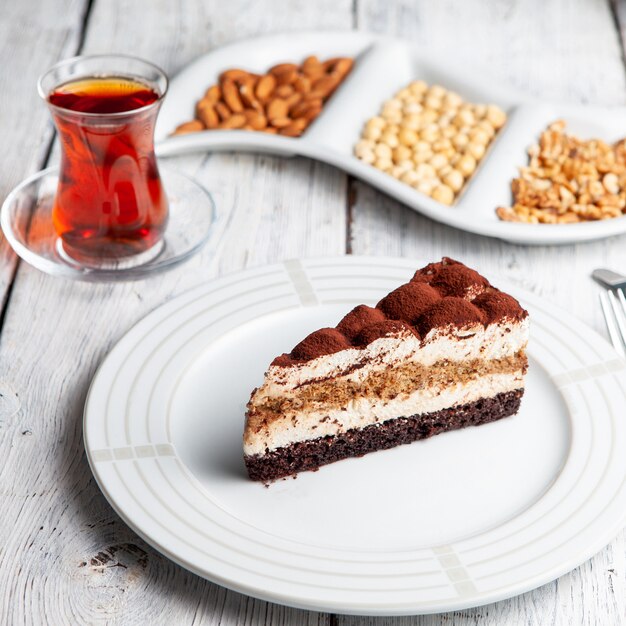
(111, 211)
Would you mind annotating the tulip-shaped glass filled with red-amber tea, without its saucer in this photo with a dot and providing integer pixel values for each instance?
(110, 206)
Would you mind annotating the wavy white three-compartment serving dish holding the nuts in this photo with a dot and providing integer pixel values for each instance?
(383, 66)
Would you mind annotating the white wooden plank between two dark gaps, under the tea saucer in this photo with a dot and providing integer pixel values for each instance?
(66, 557)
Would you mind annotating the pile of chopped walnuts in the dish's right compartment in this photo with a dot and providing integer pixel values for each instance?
(569, 180)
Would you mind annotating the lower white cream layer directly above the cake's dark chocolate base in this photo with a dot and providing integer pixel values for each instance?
(290, 428)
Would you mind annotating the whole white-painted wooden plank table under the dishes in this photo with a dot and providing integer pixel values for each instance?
(65, 556)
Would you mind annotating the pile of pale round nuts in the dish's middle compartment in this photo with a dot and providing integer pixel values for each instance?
(429, 138)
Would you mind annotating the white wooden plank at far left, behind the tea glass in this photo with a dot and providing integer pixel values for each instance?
(53, 31)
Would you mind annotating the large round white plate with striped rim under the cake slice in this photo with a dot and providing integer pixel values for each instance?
(465, 518)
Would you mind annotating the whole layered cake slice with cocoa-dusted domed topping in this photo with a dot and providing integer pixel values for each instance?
(444, 351)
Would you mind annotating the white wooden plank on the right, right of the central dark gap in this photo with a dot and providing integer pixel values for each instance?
(540, 48)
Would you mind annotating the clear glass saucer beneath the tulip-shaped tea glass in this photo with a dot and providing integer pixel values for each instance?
(26, 220)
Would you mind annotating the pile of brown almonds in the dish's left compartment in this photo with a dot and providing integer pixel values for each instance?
(285, 100)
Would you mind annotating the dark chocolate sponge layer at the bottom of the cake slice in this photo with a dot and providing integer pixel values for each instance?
(310, 455)
